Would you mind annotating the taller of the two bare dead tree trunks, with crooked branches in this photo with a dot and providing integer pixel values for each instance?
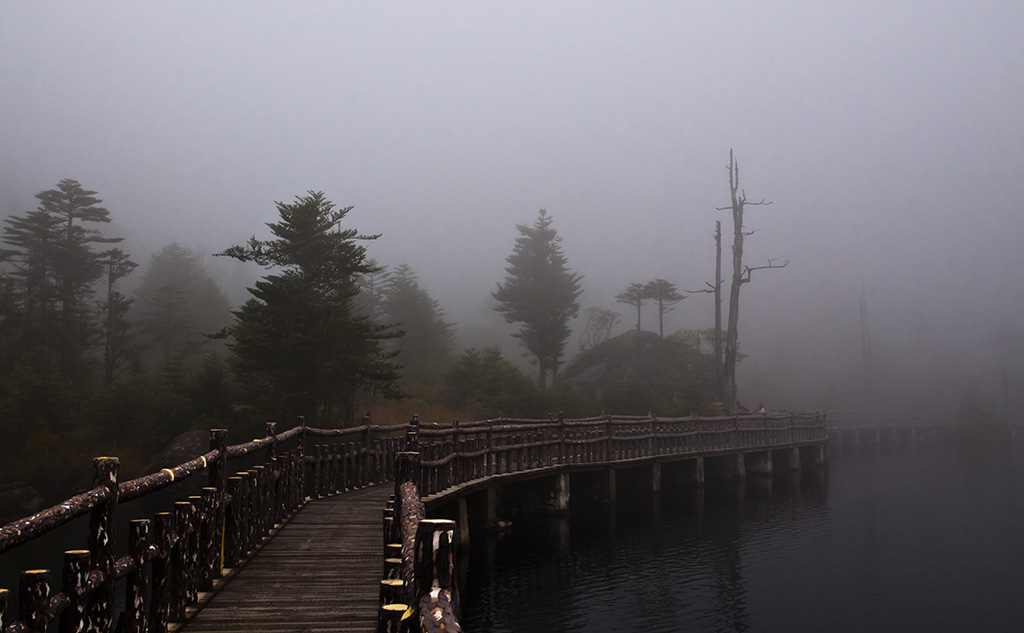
(741, 275)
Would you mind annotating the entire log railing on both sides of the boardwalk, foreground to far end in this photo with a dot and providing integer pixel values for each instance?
(180, 559)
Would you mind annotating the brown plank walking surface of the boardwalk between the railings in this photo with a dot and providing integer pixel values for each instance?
(320, 573)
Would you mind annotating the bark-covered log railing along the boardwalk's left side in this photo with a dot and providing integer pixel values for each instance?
(180, 554)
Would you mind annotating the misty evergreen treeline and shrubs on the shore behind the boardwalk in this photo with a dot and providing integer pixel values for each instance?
(88, 368)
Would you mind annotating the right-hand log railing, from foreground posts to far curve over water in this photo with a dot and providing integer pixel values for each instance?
(419, 592)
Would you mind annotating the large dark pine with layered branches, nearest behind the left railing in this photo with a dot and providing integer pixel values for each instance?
(301, 347)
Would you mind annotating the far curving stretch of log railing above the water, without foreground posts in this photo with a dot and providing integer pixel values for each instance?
(452, 455)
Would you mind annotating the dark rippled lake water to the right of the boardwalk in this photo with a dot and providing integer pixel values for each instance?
(922, 539)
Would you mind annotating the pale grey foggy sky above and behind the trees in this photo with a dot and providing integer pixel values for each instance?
(888, 138)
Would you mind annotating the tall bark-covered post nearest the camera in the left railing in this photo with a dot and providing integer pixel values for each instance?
(103, 524)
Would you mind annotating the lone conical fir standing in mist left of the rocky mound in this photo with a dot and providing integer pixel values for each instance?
(540, 292)
